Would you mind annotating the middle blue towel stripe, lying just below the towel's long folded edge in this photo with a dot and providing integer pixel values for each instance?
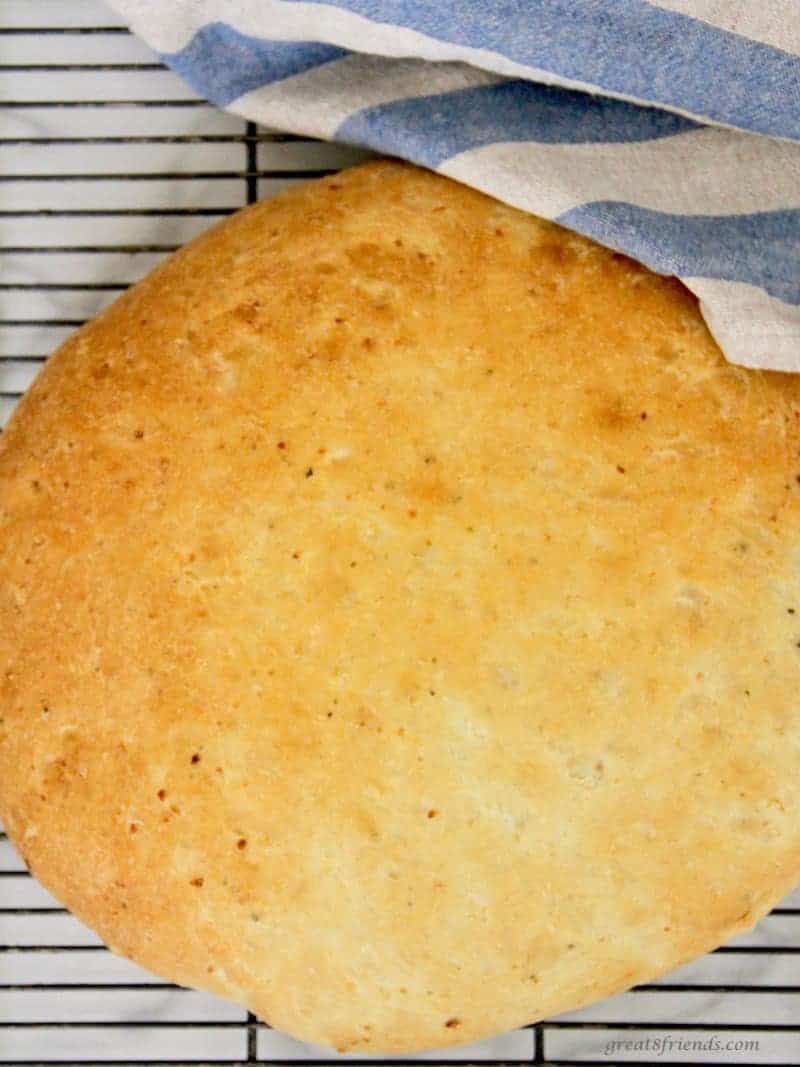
(430, 130)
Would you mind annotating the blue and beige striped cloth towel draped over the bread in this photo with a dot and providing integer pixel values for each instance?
(669, 131)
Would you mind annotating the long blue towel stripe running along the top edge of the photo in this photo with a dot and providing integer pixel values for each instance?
(629, 47)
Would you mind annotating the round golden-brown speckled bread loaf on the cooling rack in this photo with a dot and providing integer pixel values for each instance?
(399, 619)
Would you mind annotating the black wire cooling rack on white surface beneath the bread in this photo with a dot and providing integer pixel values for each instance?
(108, 163)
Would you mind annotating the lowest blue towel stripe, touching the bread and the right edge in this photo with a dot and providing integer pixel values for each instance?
(762, 249)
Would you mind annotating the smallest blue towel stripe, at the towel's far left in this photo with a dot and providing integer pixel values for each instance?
(222, 63)
